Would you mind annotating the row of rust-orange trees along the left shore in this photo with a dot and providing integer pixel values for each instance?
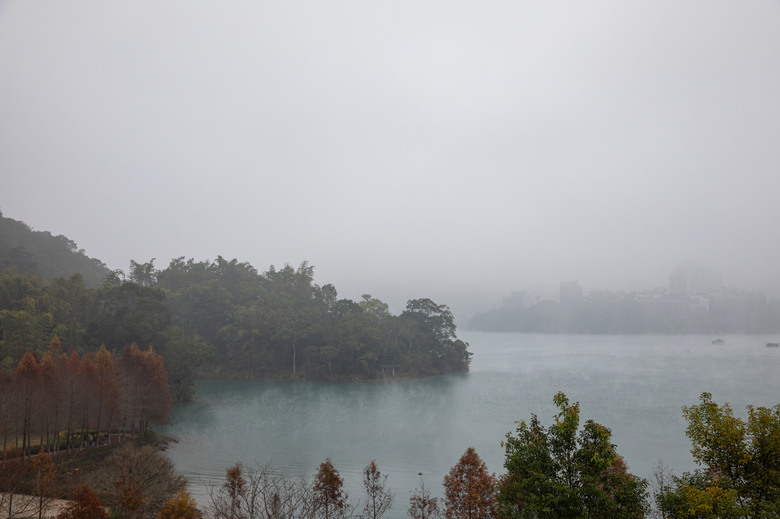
(80, 396)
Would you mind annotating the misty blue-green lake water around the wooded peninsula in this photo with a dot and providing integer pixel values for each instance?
(635, 385)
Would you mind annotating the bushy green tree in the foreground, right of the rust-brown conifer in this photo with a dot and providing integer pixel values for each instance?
(558, 473)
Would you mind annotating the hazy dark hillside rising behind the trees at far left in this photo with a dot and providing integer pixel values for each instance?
(50, 256)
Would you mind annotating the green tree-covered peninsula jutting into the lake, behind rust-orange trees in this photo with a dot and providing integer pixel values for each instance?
(225, 319)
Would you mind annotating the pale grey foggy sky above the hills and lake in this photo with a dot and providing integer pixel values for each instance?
(453, 150)
